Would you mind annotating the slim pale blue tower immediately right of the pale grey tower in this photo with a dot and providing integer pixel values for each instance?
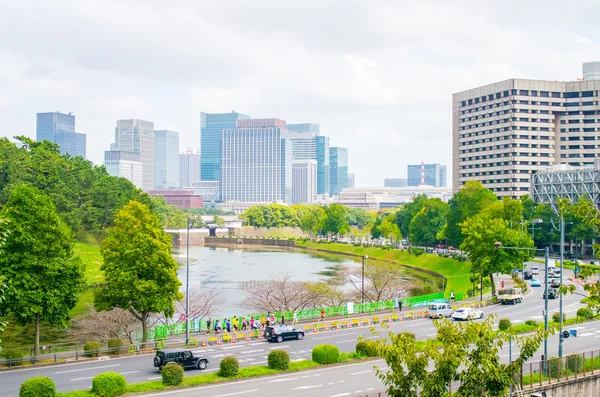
(166, 159)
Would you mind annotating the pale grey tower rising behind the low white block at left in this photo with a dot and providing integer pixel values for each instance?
(137, 136)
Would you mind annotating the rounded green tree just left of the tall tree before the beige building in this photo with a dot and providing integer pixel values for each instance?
(428, 222)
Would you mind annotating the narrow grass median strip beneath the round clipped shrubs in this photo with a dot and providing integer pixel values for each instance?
(200, 380)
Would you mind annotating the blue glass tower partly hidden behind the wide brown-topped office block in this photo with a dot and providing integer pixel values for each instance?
(211, 135)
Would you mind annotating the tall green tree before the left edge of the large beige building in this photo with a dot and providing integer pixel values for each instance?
(470, 200)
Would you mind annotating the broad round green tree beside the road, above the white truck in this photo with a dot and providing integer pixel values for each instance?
(480, 237)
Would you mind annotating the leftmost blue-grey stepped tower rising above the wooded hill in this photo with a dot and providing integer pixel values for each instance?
(60, 128)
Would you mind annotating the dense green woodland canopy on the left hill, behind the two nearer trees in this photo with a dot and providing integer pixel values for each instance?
(86, 196)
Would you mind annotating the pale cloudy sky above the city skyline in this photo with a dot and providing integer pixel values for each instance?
(378, 76)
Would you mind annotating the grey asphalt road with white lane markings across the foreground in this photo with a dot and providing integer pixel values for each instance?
(346, 379)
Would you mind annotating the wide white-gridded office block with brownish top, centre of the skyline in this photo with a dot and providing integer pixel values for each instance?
(257, 162)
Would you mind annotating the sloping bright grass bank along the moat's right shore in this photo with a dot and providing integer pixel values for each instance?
(455, 272)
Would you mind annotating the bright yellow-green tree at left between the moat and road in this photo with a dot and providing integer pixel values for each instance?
(140, 273)
